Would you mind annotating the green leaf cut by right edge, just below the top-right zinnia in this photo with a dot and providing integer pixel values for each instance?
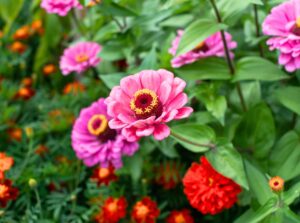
(289, 97)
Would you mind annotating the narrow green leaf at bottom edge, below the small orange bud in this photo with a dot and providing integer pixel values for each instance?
(260, 214)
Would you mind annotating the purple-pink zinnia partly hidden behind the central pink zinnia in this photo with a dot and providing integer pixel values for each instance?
(94, 142)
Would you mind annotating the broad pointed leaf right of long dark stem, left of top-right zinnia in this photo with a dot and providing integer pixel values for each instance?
(257, 68)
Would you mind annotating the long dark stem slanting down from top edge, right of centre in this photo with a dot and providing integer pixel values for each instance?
(227, 53)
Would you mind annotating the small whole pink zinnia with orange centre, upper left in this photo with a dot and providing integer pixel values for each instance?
(80, 57)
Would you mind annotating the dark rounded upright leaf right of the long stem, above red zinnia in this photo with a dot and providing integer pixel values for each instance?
(256, 132)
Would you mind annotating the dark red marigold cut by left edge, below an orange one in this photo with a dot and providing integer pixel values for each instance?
(7, 192)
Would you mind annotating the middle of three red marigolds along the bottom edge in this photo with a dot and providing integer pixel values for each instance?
(145, 211)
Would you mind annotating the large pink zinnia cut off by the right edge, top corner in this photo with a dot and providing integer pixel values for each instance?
(284, 25)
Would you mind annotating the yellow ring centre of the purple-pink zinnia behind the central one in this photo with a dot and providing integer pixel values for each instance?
(97, 124)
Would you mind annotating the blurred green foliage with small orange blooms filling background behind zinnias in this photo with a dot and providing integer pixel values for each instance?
(248, 110)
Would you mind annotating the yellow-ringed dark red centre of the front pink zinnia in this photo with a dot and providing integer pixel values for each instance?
(145, 103)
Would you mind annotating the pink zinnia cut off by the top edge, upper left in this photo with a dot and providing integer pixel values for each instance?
(60, 7)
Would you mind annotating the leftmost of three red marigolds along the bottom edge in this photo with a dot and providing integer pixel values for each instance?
(112, 211)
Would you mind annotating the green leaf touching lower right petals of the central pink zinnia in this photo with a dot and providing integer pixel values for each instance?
(195, 133)
